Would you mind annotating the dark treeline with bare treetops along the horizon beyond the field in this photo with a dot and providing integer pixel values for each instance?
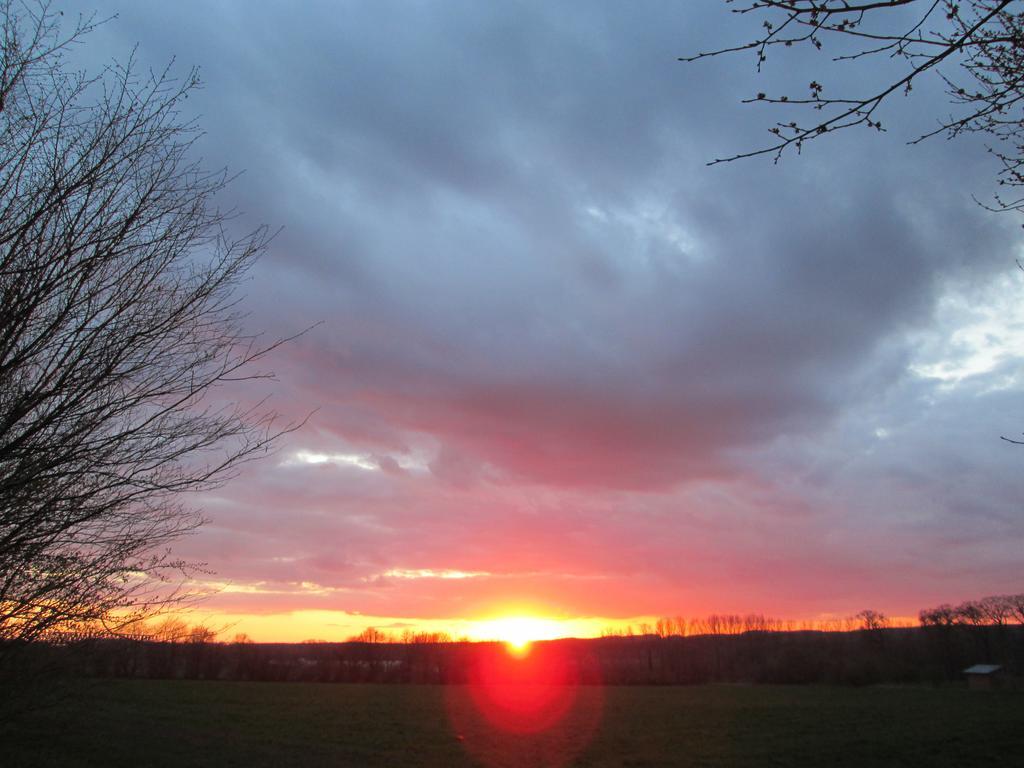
(864, 650)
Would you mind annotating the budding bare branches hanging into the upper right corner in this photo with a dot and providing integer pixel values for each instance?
(975, 48)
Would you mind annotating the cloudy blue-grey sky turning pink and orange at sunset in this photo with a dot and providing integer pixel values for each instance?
(562, 366)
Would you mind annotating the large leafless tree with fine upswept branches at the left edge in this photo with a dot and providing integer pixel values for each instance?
(120, 335)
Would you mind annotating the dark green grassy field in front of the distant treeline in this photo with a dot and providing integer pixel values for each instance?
(182, 724)
